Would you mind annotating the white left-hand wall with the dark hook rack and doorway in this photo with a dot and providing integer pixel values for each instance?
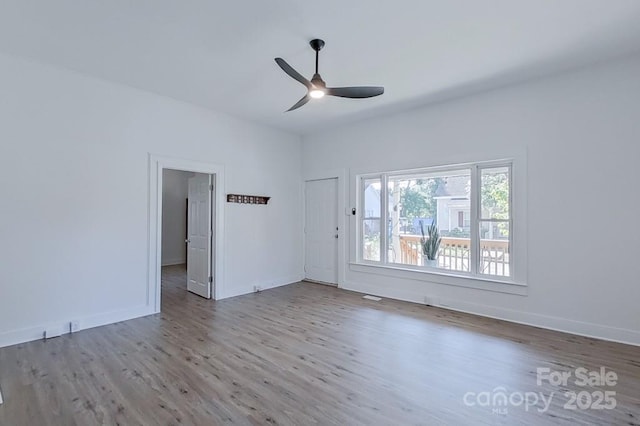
(74, 187)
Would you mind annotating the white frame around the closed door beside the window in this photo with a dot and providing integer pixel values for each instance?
(343, 234)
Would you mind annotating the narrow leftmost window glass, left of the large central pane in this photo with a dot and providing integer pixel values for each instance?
(371, 219)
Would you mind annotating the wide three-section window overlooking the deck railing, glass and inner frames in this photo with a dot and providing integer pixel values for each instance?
(452, 220)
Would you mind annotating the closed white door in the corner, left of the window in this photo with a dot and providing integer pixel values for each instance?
(321, 231)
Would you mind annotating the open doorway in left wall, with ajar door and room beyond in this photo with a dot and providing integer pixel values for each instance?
(187, 231)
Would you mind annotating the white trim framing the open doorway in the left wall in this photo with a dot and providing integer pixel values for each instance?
(154, 277)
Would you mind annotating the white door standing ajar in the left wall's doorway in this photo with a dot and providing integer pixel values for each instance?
(199, 235)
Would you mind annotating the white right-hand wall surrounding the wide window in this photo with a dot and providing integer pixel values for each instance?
(581, 134)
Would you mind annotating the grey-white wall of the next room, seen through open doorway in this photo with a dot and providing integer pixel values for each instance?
(175, 190)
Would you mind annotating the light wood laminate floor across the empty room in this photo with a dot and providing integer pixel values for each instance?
(305, 354)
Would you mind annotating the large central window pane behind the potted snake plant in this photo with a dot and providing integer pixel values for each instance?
(441, 198)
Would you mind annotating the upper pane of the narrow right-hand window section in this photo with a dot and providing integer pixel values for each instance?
(494, 192)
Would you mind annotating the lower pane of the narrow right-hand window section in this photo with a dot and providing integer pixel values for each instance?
(494, 248)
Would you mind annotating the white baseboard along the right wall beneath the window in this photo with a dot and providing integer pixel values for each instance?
(565, 325)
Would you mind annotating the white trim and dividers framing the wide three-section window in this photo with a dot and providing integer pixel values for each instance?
(515, 284)
